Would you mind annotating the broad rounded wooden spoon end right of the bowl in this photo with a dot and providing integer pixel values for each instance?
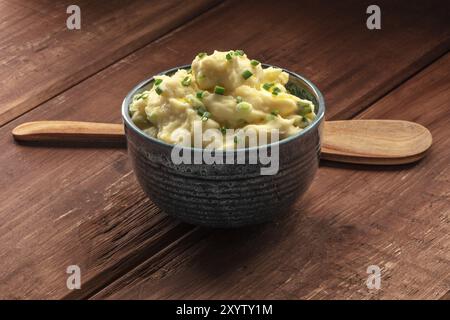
(378, 142)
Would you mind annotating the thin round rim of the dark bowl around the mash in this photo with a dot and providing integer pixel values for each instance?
(126, 118)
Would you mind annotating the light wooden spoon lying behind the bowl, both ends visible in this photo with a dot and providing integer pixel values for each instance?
(379, 142)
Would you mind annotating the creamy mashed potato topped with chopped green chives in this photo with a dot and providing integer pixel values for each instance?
(224, 90)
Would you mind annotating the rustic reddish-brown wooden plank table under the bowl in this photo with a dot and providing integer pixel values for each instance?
(62, 206)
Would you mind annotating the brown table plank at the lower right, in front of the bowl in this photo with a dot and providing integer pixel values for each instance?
(353, 217)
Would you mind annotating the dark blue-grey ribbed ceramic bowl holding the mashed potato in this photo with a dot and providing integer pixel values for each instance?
(226, 195)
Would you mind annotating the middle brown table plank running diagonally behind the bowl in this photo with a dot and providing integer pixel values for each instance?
(62, 206)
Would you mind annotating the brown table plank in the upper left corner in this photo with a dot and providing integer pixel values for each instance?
(40, 57)
